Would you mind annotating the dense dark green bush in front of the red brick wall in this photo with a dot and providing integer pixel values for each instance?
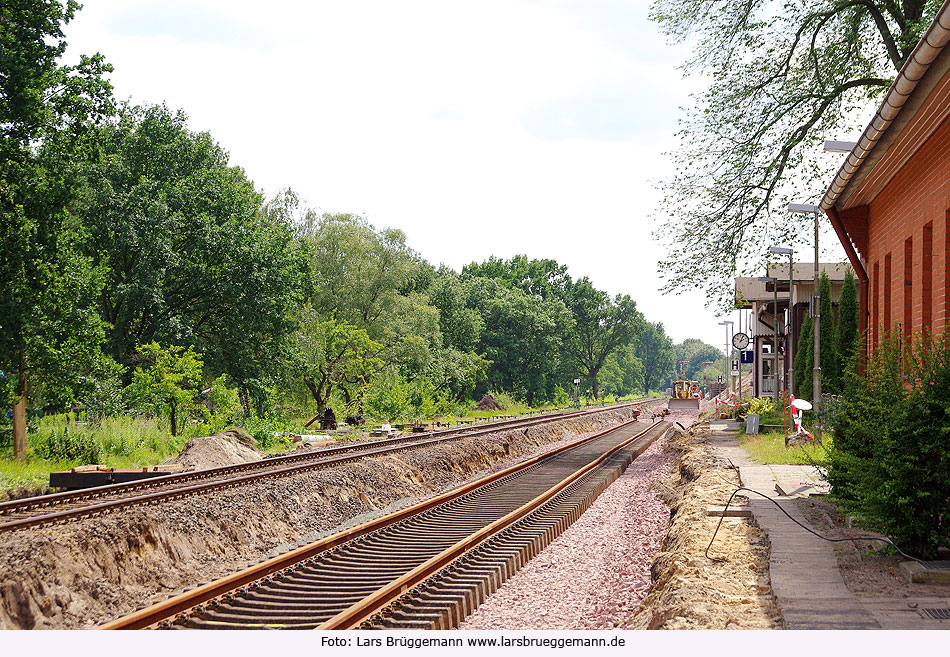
(890, 462)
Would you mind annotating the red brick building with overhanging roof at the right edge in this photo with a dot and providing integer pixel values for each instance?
(890, 201)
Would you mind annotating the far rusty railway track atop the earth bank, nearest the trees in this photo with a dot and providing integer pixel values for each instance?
(75, 505)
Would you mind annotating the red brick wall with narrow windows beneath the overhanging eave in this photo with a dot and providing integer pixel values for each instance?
(909, 232)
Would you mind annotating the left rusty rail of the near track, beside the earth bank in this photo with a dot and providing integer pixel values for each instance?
(213, 592)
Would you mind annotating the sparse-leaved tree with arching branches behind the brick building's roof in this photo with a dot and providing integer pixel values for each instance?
(783, 77)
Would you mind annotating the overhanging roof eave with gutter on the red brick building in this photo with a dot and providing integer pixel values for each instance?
(914, 106)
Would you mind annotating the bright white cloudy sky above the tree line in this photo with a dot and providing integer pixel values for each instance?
(478, 128)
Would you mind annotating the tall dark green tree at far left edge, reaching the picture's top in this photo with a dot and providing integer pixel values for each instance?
(47, 331)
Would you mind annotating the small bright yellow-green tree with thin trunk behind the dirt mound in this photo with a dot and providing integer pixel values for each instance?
(167, 378)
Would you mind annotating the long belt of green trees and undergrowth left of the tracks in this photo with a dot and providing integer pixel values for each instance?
(153, 294)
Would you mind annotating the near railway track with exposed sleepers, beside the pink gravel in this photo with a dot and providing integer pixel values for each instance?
(426, 566)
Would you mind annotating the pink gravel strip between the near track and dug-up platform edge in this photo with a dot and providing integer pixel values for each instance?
(596, 574)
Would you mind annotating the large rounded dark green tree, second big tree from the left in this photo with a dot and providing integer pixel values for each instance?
(192, 256)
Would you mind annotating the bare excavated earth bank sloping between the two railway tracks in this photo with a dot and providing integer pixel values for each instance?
(84, 573)
